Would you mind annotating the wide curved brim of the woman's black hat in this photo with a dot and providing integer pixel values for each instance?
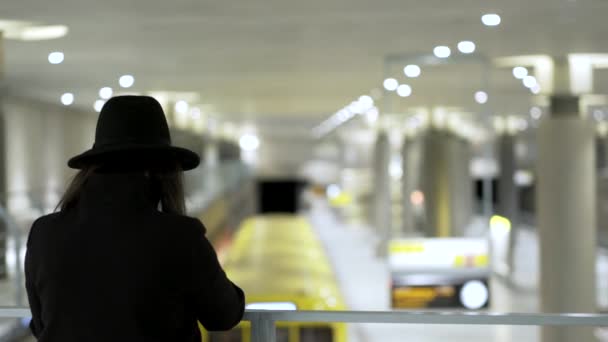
(159, 155)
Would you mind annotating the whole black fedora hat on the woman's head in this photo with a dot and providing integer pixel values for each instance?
(134, 129)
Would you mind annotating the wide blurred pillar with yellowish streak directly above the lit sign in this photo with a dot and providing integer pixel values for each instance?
(446, 184)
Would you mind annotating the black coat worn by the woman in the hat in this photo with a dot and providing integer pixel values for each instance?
(114, 268)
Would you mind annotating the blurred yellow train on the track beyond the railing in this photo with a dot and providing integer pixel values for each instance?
(279, 263)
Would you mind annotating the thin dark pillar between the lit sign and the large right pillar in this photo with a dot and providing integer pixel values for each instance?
(507, 191)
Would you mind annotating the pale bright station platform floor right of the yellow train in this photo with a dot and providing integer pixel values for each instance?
(364, 281)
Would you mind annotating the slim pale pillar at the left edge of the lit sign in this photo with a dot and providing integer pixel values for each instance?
(382, 196)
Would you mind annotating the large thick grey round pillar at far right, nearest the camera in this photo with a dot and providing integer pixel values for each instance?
(566, 216)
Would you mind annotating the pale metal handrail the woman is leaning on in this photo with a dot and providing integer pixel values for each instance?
(263, 321)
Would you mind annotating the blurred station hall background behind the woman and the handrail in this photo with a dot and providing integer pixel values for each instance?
(395, 155)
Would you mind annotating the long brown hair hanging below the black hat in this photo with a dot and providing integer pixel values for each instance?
(167, 183)
